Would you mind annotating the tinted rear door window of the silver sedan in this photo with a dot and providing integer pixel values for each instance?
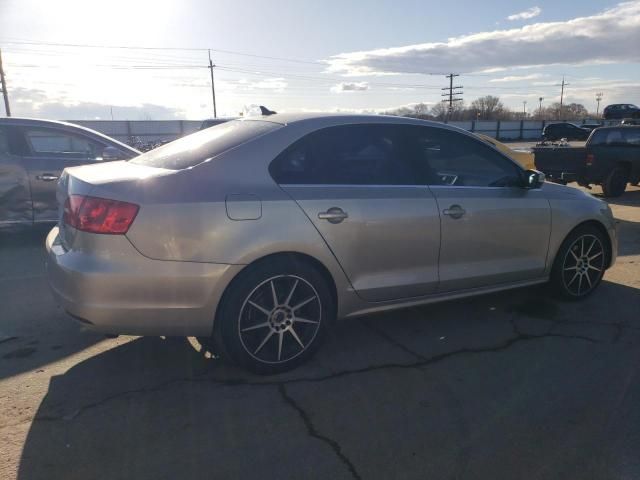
(346, 155)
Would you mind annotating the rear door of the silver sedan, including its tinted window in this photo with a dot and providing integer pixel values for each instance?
(355, 184)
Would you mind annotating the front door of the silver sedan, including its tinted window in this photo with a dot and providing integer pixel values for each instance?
(493, 231)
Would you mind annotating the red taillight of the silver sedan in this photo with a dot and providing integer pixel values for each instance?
(99, 215)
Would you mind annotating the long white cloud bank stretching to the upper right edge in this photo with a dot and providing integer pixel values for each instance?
(610, 36)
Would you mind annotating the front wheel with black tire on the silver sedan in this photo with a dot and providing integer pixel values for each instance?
(580, 263)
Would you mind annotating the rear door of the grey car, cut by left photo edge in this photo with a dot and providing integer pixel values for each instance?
(15, 193)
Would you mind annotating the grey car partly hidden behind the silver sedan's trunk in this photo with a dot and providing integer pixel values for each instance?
(33, 154)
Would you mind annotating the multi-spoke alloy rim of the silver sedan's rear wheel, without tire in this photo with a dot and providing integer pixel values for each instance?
(279, 319)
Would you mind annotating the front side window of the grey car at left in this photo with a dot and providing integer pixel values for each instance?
(54, 142)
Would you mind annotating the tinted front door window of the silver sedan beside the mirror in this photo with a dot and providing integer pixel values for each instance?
(455, 159)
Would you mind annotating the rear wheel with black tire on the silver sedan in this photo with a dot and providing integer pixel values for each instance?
(267, 336)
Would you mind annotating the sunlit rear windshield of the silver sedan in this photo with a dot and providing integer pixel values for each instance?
(193, 149)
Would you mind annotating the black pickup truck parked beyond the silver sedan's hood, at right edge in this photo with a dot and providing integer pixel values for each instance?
(611, 158)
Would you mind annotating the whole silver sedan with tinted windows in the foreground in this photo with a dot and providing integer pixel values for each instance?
(257, 234)
